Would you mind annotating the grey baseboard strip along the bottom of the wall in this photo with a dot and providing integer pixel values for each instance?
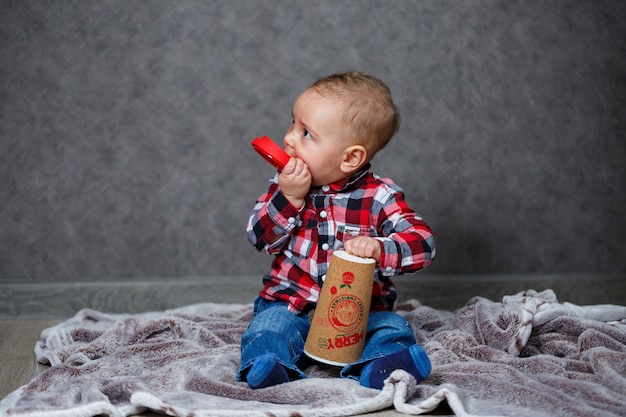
(34, 300)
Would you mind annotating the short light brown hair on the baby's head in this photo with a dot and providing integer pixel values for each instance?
(371, 118)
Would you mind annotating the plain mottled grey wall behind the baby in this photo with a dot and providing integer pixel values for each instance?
(125, 128)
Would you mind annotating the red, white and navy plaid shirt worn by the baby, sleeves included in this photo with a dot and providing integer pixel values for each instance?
(304, 239)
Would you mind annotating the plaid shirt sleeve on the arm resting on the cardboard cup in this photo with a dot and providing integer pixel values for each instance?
(407, 242)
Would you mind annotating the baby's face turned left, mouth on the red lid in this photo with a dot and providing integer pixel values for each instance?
(316, 136)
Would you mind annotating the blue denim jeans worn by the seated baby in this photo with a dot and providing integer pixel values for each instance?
(274, 329)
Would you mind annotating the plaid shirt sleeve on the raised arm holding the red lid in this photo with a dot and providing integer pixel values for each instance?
(272, 220)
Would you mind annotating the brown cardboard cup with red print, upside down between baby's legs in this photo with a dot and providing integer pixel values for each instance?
(339, 324)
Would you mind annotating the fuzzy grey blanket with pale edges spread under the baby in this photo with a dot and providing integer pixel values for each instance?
(528, 355)
